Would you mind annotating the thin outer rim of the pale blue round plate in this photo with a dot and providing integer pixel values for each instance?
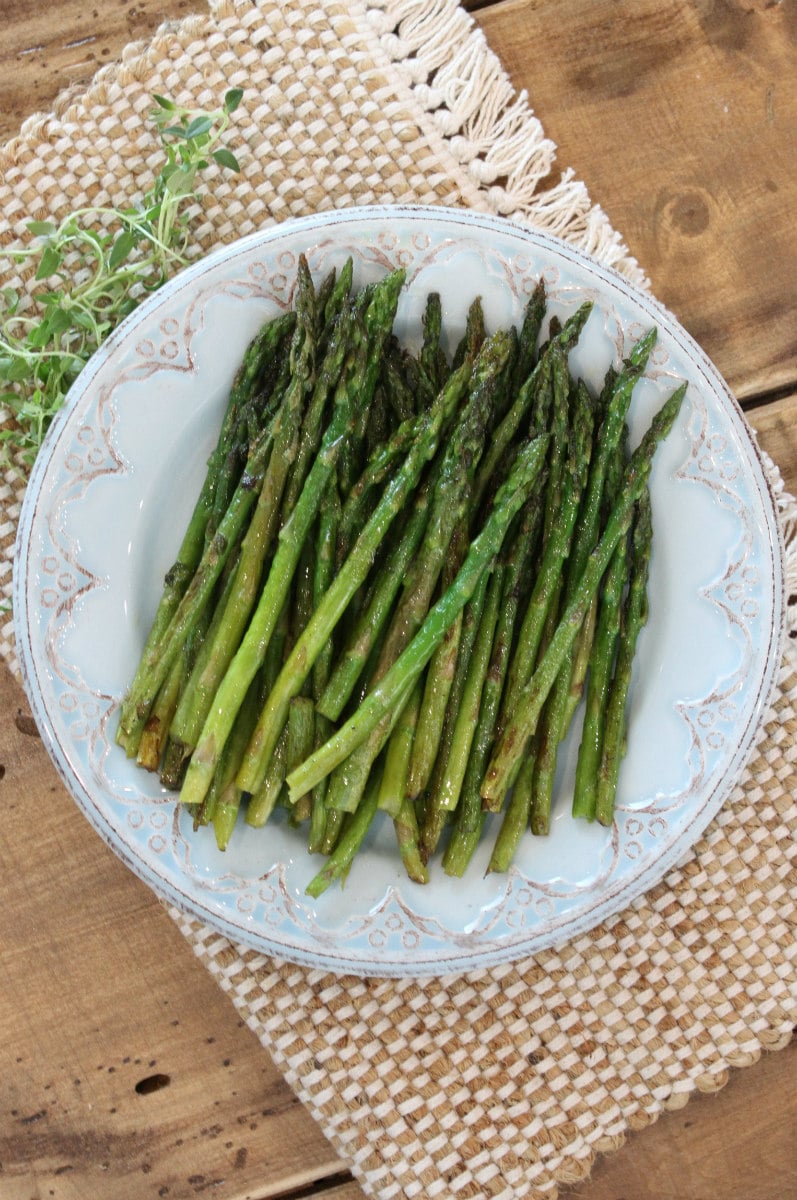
(511, 950)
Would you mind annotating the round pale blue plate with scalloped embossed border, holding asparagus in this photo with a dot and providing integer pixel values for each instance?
(105, 512)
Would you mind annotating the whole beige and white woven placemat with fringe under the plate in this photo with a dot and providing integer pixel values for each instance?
(502, 1083)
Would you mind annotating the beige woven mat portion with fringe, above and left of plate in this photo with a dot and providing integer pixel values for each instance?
(346, 103)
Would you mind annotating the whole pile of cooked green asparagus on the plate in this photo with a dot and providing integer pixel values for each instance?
(398, 581)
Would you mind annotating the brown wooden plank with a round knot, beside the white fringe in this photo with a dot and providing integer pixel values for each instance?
(682, 119)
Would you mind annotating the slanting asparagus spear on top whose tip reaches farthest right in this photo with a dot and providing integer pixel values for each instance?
(510, 751)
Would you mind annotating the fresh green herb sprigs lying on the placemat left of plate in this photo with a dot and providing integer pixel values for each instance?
(93, 269)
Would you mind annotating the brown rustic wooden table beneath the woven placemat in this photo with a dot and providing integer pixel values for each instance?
(124, 1070)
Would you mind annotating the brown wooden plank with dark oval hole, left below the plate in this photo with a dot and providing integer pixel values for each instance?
(95, 1004)
